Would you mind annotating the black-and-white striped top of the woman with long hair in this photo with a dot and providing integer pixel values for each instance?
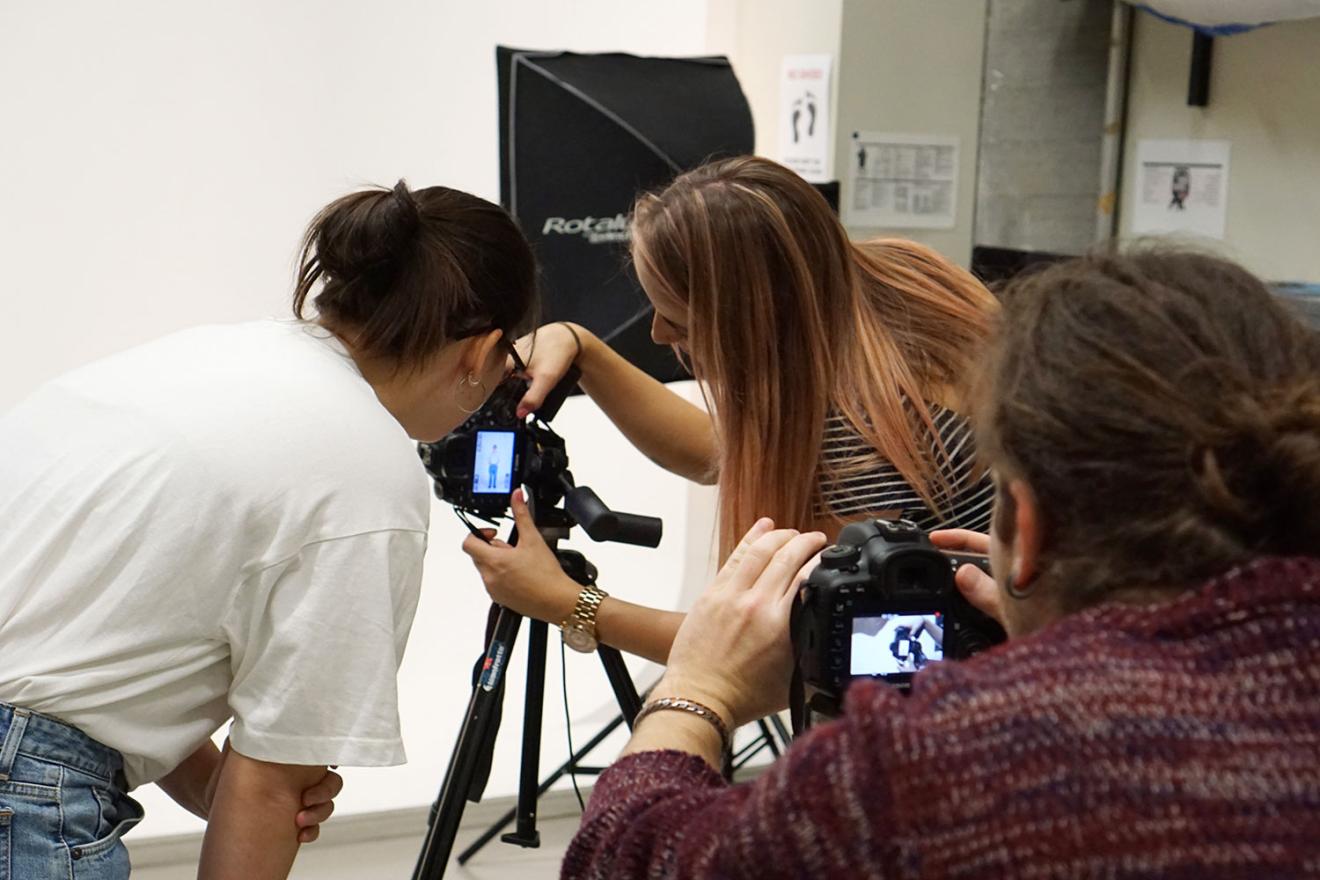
(857, 481)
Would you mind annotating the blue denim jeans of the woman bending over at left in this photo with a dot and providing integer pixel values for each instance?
(64, 805)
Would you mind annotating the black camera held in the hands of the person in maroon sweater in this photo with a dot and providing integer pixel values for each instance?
(882, 604)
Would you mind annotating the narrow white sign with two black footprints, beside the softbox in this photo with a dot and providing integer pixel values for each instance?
(805, 86)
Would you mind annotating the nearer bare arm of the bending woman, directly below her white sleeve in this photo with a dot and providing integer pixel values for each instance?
(253, 833)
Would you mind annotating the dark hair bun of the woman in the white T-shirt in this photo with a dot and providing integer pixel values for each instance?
(368, 233)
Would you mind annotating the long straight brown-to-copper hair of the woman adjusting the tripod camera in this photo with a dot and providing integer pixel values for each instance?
(789, 321)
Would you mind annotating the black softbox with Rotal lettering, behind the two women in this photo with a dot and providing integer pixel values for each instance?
(581, 137)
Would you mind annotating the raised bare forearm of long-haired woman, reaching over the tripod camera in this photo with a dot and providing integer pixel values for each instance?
(674, 433)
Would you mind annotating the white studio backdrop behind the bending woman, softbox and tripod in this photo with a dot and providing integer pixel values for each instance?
(159, 163)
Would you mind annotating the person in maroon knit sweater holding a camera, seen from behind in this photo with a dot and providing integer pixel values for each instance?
(1154, 425)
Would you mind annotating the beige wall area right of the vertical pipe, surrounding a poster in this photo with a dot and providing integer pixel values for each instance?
(1265, 100)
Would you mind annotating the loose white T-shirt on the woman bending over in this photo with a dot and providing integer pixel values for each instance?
(222, 523)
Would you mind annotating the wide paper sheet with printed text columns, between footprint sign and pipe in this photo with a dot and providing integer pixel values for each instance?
(902, 181)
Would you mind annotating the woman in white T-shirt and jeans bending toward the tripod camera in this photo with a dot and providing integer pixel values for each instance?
(229, 523)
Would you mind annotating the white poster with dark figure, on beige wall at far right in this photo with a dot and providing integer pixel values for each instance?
(1182, 187)
